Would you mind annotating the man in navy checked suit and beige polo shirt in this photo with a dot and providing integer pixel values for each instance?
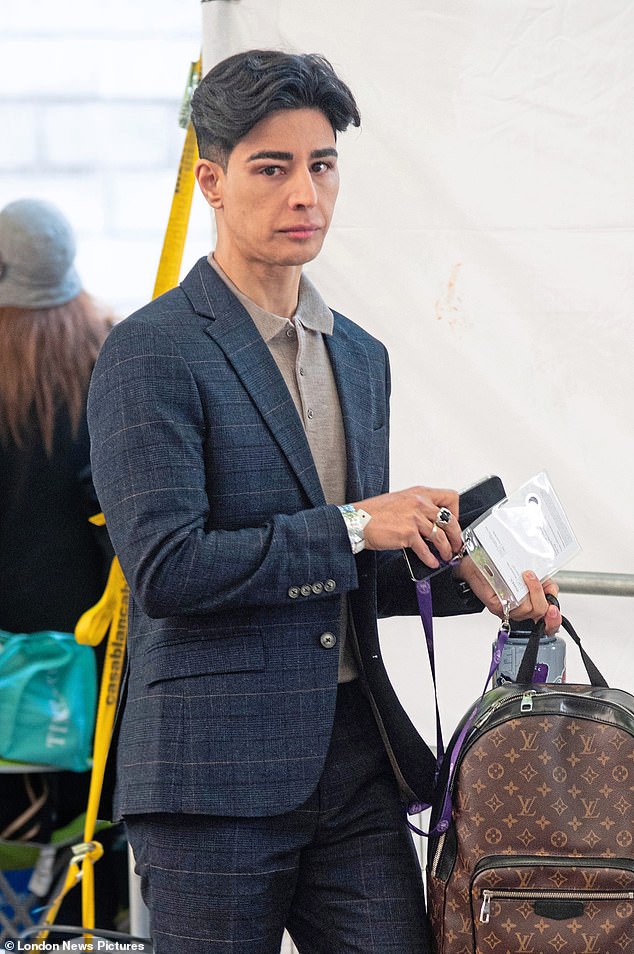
(240, 454)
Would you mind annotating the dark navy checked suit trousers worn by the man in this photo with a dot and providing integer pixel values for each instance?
(339, 872)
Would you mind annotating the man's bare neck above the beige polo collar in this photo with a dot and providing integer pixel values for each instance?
(274, 288)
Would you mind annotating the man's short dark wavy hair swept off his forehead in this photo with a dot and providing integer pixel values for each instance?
(237, 93)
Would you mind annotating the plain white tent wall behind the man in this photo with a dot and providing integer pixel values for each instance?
(484, 233)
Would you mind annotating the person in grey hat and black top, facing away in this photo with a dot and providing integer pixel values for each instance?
(53, 563)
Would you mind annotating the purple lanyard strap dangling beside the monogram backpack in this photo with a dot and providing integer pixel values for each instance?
(423, 593)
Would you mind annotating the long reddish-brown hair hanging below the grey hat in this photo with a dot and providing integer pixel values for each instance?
(47, 359)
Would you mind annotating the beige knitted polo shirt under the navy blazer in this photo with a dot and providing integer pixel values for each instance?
(299, 349)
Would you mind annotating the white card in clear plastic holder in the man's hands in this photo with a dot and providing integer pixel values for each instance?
(528, 530)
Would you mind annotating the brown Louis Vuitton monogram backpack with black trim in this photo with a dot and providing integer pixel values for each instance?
(540, 859)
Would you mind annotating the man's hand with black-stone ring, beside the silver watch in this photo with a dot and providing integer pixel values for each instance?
(406, 518)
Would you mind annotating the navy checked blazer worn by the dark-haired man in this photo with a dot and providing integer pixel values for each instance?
(236, 564)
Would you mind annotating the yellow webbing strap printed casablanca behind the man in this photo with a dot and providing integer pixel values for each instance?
(110, 614)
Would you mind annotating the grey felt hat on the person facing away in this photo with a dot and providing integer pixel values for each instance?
(37, 251)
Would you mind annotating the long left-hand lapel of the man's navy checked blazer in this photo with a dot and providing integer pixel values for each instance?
(232, 328)
